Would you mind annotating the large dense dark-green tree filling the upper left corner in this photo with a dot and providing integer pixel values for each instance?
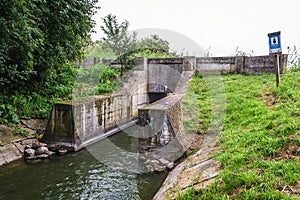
(38, 37)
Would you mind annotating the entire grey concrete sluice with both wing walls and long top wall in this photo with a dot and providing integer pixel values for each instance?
(151, 94)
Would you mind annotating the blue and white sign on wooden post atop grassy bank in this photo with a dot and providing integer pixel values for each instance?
(275, 49)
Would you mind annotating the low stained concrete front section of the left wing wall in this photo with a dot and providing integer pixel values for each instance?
(74, 123)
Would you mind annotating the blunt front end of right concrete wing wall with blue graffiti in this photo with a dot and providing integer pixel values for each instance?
(165, 112)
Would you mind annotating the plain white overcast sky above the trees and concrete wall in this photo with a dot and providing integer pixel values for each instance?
(222, 25)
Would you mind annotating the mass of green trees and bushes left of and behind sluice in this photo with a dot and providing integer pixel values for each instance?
(40, 42)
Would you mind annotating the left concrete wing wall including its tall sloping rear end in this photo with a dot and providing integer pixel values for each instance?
(80, 122)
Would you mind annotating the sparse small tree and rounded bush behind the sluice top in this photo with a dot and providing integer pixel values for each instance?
(125, 45)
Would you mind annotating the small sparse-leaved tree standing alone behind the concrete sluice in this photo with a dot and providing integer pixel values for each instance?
(118, 38)
